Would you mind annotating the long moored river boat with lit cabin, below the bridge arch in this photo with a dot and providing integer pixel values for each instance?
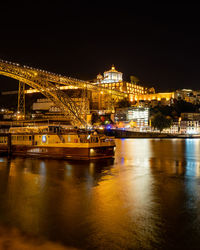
(57, 142)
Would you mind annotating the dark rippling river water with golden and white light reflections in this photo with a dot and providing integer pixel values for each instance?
(148, 197)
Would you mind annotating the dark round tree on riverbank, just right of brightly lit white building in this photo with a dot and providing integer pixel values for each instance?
(160, 121)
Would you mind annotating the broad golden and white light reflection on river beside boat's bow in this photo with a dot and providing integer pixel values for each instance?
(126, 194)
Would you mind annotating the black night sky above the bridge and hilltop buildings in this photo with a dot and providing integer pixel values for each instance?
(159, 44)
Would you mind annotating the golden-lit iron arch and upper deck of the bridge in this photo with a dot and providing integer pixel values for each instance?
(49, 84)
